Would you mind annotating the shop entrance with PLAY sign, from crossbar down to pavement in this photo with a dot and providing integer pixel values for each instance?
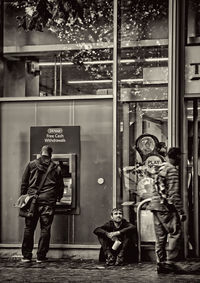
(144, 141)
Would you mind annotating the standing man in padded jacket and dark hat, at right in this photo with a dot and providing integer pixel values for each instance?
(167, 209)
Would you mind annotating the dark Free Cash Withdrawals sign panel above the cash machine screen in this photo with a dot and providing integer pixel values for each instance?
(63, 139)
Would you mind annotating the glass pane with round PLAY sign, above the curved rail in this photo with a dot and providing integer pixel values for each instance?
(144, 136)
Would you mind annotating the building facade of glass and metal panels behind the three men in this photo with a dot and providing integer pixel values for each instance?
(128, 78)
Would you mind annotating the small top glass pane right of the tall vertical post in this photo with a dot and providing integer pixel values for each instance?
(143, 19)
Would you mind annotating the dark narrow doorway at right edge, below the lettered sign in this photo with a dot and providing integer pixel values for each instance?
(193, 146)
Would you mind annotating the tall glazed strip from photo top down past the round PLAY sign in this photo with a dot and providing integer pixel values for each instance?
(142, 105)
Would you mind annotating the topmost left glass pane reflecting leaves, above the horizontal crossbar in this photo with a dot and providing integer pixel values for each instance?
(73, 22)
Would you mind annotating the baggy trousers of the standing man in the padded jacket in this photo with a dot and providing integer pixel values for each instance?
(167, 226)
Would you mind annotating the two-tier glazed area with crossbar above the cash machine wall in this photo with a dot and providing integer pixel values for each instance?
(71, 56)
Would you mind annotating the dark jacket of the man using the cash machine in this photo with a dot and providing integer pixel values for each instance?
(52, 189)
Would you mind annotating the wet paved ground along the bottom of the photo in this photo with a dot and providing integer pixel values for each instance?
(71, 270)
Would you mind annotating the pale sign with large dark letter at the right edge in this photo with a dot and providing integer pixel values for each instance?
(192, 71)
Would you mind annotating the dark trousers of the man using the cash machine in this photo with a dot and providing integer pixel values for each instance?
(46, 214)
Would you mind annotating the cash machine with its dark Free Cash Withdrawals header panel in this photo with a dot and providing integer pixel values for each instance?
(65, 142)
